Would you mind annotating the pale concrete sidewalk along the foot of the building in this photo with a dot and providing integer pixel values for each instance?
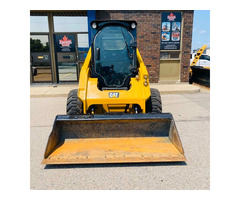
(61, 90)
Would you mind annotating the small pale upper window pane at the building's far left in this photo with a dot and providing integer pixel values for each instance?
(39, 24)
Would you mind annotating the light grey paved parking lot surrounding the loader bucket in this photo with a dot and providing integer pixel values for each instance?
(192, 116)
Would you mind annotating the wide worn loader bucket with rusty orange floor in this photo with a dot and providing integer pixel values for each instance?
(122, 138)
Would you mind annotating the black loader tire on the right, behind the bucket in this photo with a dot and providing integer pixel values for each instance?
(154, 103)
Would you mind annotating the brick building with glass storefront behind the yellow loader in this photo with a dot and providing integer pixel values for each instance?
(164, 40)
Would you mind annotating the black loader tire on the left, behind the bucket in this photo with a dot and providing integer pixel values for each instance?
(74, 105)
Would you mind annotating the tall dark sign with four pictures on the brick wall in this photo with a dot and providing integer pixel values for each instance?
(171, 30)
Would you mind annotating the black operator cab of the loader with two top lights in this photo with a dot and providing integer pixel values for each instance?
(114, 53)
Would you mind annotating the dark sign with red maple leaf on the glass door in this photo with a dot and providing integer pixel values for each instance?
(65, 43)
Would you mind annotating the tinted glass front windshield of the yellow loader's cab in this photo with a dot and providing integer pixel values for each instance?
(113, 54)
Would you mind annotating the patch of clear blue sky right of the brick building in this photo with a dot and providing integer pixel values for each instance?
(201, 29)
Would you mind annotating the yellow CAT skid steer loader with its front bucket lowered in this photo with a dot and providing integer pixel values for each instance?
(114, 116)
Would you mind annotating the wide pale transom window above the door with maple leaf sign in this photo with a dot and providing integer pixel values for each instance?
(70, 24)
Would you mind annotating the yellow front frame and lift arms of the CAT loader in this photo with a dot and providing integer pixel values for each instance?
(89, 93)
